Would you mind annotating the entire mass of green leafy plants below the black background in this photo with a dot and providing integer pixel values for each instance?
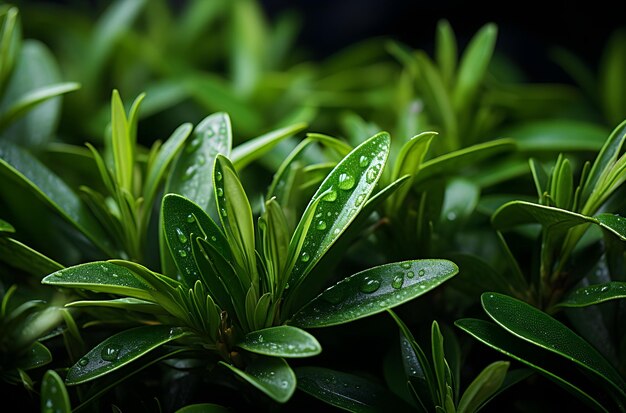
(183, 260)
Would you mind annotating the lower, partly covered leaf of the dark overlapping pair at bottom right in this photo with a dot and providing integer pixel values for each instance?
(496, 338)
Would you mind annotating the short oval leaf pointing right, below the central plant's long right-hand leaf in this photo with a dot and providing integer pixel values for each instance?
(281, 341)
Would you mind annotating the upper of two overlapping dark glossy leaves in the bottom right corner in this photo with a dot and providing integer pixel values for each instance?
(540, 329)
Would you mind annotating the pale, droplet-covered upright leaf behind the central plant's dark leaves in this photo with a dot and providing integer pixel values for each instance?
(193, 168)
